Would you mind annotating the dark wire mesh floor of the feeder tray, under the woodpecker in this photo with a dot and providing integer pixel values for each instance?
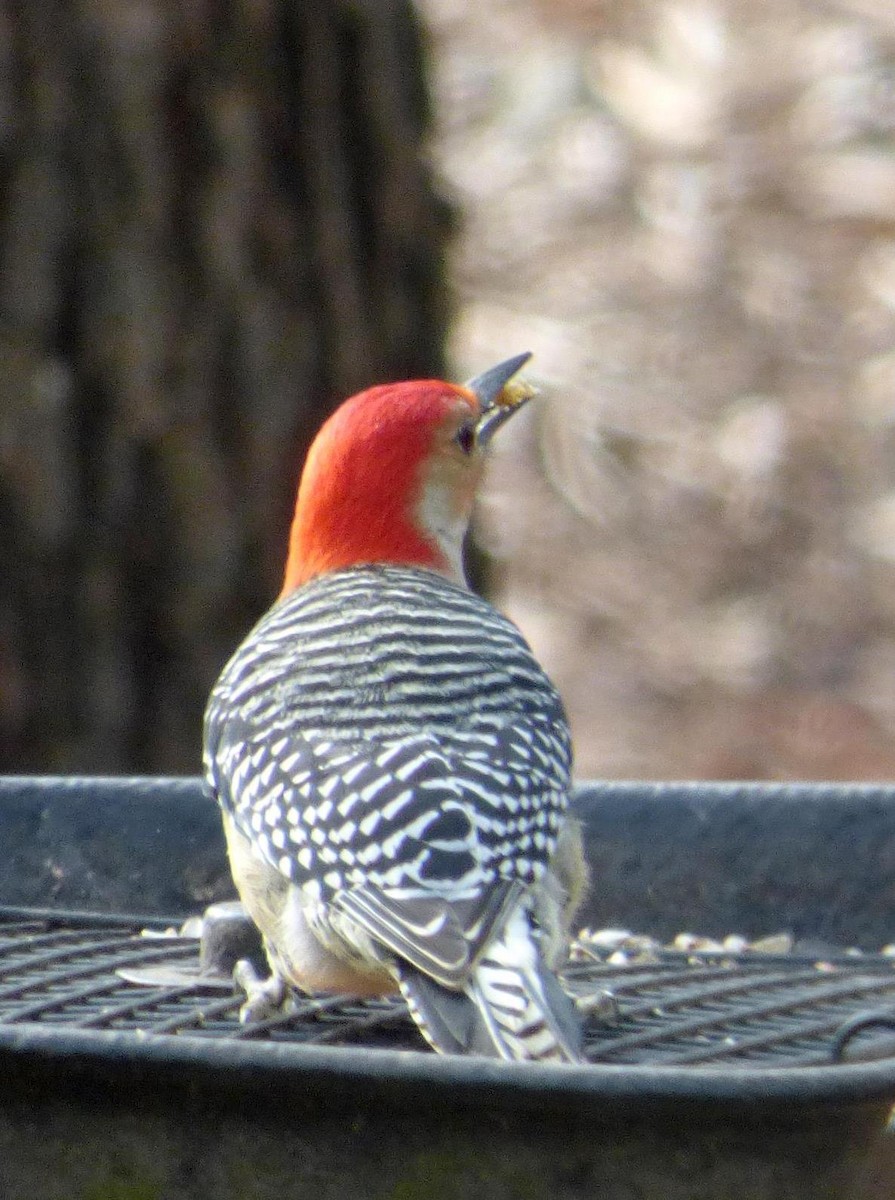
(723, 1011)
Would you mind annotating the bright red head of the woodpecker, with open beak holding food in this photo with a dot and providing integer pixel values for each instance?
(393, 475)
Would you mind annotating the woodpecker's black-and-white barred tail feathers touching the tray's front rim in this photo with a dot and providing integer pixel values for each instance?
(512, 1006)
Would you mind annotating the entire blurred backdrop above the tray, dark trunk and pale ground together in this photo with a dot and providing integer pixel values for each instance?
(218, 221)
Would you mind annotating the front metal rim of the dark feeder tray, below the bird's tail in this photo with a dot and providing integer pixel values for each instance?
(473, 1082)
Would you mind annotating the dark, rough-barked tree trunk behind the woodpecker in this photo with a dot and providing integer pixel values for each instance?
(214, 225)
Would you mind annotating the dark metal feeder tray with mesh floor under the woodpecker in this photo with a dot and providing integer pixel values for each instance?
(708, 1073)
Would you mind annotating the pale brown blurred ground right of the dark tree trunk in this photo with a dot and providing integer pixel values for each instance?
(687, 211)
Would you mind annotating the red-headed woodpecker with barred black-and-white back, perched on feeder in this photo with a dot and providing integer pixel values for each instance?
(392, 763)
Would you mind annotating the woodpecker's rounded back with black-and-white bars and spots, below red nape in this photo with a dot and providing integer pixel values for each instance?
(386, 727)
